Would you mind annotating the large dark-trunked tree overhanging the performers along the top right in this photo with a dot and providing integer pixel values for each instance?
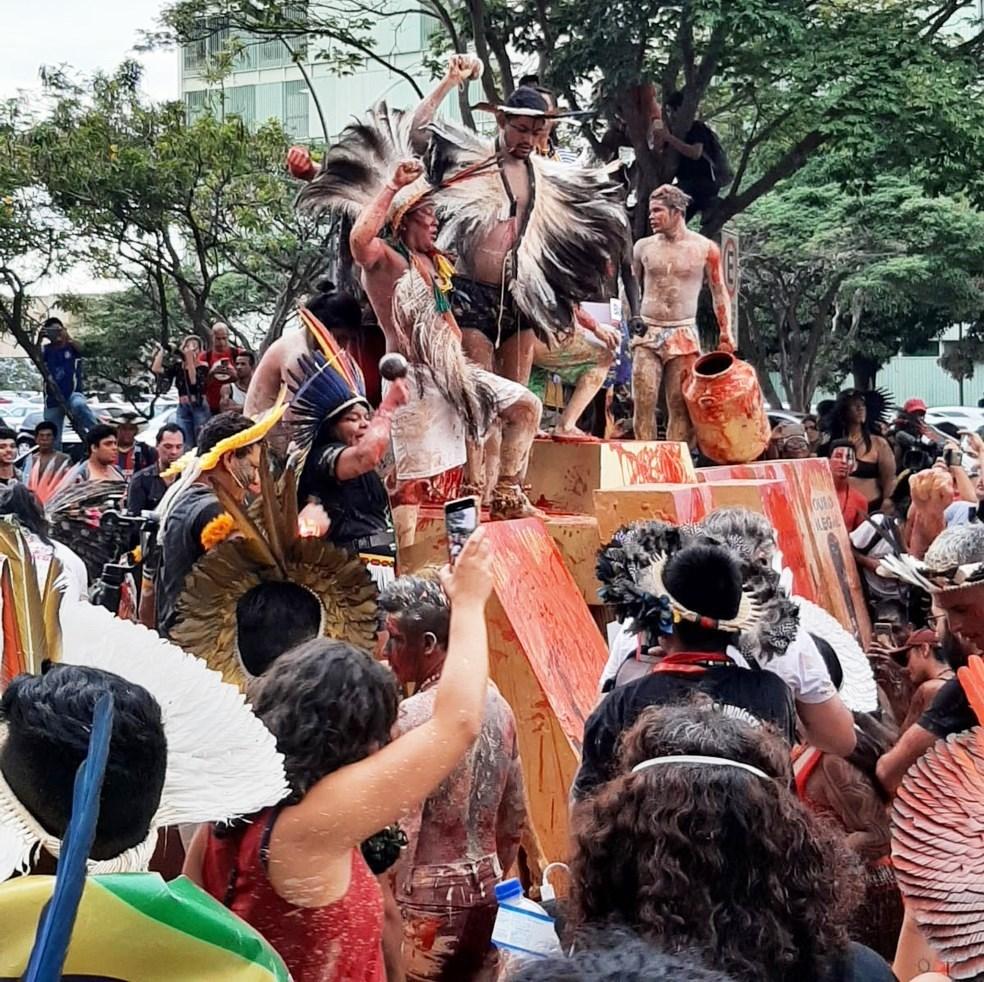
(888, 82)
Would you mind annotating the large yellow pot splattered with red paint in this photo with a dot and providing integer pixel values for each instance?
(725, 402)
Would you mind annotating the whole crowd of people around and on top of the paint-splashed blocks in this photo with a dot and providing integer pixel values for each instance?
(747, 803)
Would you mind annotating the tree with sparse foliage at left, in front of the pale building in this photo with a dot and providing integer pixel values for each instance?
(199, 215)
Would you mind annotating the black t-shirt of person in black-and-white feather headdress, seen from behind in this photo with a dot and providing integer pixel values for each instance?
(762, 694)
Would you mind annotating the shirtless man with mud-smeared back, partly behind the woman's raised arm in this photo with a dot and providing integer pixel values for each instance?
(467, 833)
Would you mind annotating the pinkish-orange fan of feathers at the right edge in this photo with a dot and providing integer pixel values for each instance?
(938, 840)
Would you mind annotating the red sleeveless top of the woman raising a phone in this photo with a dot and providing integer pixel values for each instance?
(340, 942)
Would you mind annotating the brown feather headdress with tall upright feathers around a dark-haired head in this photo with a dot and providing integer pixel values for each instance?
(270, 548)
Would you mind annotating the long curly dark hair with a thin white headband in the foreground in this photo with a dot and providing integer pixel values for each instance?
(715, 858)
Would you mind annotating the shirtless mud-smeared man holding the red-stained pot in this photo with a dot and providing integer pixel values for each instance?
(671, 266)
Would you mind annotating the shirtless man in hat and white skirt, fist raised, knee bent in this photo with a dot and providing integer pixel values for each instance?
(401, 287)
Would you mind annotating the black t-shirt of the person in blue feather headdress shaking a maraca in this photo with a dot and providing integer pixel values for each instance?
(358, 508)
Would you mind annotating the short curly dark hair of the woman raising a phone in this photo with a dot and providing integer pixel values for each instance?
(329, 705)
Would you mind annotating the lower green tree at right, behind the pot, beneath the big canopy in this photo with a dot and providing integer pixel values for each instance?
(829, 273)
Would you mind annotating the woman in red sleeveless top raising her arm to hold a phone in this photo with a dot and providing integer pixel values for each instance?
(295, 871)
